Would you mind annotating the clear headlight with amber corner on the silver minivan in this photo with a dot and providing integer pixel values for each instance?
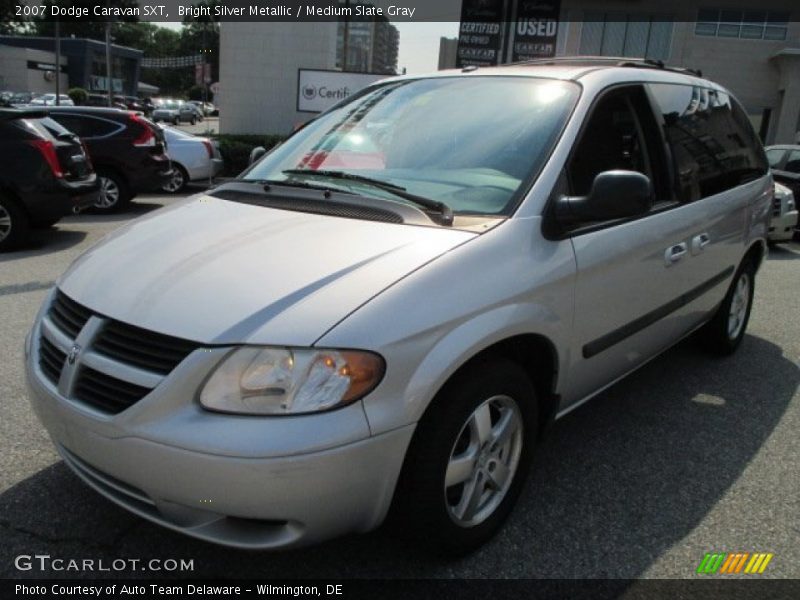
(290, 381)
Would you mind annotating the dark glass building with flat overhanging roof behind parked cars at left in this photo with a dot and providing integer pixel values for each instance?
(86, 62)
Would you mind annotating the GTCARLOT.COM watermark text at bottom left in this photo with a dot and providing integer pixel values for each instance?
(48, 563)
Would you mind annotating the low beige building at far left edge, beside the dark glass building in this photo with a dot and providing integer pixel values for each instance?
(27, 70)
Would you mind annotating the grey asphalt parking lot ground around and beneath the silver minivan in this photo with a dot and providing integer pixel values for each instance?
(689, 455)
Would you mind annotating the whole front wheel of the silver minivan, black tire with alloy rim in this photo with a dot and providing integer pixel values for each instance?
(453, 505)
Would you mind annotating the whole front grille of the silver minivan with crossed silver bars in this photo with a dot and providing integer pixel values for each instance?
(132, 349)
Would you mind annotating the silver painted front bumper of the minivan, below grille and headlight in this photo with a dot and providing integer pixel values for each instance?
(246, 482)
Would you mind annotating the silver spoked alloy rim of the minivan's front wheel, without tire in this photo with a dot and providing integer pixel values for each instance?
(483, 461)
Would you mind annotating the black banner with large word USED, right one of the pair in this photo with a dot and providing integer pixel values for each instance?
(535, 29)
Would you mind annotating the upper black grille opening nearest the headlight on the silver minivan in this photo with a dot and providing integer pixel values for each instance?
(141, 348)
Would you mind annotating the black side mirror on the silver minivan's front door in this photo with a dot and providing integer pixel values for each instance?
(614, 195)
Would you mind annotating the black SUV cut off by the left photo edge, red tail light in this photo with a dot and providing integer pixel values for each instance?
(45, 175)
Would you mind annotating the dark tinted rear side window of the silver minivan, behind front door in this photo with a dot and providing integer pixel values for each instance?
(713, 145)
